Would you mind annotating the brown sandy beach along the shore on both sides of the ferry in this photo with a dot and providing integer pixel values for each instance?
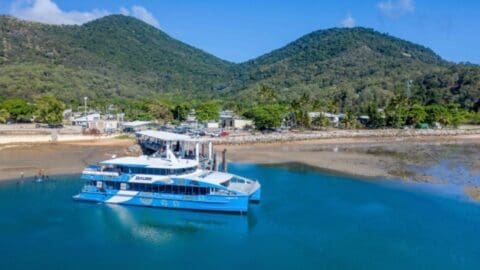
(405, 158)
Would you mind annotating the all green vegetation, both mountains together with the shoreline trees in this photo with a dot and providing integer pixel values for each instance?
(123, 64)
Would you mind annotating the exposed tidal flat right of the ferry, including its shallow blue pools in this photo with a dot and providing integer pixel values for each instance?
(412, 160)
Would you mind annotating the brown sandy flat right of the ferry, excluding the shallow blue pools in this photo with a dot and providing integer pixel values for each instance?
(364, 157)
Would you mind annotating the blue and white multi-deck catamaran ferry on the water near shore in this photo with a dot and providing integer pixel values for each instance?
(175, 175)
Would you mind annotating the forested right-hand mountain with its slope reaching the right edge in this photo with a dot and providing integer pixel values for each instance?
(355, 67)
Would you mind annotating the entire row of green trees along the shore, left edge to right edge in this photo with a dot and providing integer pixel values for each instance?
(266, 108)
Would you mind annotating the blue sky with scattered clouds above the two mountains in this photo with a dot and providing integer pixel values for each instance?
(241, 30)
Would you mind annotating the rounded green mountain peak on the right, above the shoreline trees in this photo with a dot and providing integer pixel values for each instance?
(353, 66)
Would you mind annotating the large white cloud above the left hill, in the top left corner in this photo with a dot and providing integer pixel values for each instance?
(47, 11)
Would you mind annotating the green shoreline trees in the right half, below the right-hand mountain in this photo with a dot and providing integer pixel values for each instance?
(269, 112)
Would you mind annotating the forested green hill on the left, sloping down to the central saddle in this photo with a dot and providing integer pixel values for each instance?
(112, 56)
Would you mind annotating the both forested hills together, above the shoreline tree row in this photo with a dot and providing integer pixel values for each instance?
(122, 56)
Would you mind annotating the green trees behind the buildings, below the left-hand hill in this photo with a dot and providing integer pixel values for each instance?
(48, 109)
